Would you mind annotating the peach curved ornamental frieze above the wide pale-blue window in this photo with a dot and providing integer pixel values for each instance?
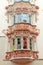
(26, 7)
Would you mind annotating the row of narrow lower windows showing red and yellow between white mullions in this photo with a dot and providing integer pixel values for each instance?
(19, 45)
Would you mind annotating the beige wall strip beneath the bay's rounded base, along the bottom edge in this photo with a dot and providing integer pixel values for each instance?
(32, 63)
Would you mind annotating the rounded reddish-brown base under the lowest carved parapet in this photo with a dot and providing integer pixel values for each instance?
(21, 60)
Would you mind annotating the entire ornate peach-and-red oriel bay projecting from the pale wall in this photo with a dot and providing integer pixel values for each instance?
(22, 31)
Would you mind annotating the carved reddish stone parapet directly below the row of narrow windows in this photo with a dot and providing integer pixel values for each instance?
(21, 54)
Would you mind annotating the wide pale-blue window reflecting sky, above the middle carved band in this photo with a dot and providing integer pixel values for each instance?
(22, 18)
